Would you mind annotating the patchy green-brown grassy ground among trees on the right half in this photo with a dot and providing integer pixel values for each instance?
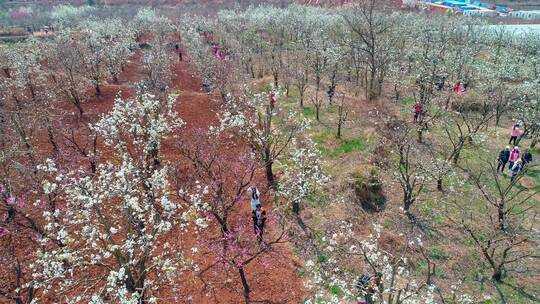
(455, 255)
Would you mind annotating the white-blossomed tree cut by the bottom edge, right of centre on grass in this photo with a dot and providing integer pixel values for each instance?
(335, 275)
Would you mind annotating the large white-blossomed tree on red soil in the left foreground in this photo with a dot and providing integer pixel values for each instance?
(114, 230)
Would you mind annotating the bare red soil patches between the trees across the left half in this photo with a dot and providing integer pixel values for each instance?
(272, 278)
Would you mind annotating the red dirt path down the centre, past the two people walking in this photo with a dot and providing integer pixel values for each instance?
(272, 279)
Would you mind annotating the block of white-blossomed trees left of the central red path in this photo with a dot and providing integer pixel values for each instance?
(87, 205)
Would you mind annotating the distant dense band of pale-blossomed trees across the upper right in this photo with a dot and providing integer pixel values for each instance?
(364, 49)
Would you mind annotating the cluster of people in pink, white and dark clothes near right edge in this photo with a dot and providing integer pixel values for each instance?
(512, 156)
